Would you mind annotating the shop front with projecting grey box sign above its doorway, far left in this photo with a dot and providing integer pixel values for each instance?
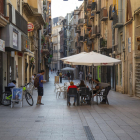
(12, 37)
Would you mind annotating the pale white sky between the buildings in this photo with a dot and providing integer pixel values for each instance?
(61, 8)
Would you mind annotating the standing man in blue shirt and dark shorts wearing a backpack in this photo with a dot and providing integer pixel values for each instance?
(40, 87)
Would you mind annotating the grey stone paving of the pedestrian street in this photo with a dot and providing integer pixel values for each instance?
(56, 121)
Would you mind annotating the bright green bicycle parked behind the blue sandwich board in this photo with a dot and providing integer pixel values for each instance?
(7, 96)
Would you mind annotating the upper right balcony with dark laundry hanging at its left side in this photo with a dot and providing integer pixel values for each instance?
(117, 21)
